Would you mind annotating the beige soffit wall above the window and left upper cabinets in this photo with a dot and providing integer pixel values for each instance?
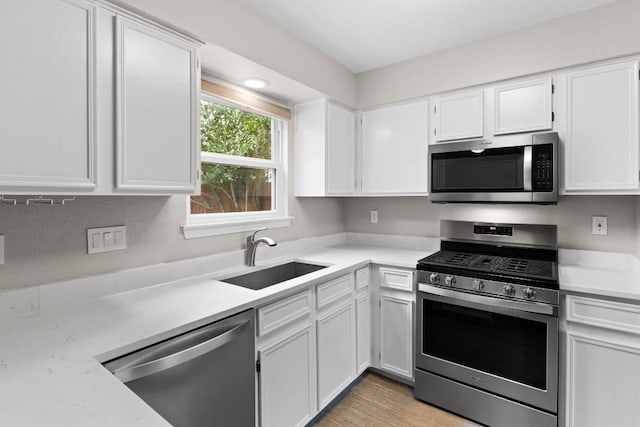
(242, 30)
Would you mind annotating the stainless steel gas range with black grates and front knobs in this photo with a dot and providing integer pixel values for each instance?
(487, 324)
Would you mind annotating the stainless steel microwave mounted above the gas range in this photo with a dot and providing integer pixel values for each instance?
(515, 169)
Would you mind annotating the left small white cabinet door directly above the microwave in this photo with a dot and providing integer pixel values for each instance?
(459, 116)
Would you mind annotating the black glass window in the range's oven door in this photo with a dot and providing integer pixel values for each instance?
(507, 346)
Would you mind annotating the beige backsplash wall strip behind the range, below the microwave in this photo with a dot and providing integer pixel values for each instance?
(416, 216)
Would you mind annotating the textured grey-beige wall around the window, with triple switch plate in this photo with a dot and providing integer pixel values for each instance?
(48, 243)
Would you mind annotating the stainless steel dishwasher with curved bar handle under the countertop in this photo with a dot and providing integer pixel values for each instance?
(205, 377)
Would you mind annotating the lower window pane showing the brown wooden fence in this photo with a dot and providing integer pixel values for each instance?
(227, 188)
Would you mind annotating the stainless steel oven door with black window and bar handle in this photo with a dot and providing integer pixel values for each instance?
(476, 341)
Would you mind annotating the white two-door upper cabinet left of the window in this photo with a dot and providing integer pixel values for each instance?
(95, 100)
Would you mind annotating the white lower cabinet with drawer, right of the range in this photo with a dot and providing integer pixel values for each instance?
(602, 363)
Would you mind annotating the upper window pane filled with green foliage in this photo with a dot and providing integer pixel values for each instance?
(226, 130)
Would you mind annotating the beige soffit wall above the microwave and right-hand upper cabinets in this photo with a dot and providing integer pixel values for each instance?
(592, 35)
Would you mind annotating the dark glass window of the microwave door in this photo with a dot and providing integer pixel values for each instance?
(493, 170)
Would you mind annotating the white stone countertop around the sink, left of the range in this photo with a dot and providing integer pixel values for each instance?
(50, 362)
